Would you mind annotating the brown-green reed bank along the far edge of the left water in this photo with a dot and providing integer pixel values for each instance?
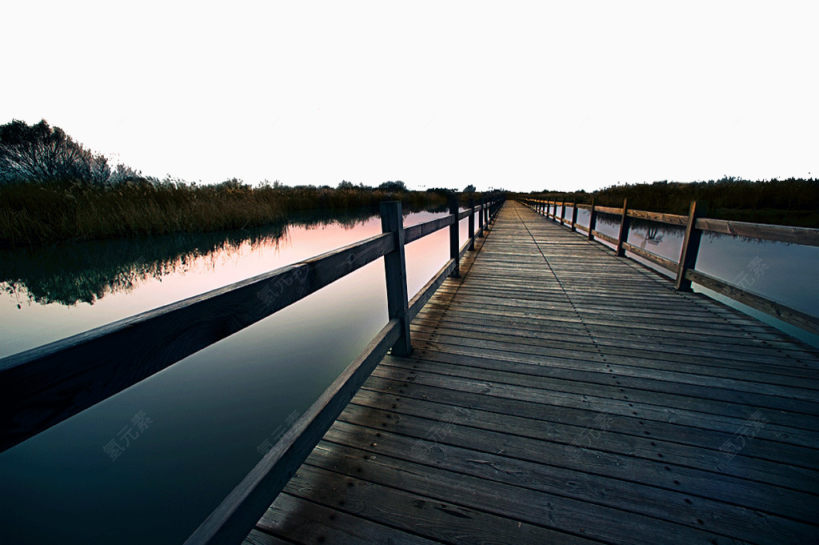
(43, 213)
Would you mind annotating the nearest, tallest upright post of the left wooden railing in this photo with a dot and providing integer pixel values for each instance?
(395, 269)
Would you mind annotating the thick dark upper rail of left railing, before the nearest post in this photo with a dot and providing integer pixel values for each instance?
(45, 385)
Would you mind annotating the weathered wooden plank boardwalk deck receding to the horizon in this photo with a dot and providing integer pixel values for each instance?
(558, 394)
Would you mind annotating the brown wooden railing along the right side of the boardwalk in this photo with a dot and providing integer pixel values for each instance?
(684, 268)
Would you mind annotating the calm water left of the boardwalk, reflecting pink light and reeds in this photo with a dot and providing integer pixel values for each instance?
(150, 463)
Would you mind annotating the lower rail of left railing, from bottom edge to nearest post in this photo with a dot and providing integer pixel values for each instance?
(238, 512)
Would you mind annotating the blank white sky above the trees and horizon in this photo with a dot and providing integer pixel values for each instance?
(515, 95)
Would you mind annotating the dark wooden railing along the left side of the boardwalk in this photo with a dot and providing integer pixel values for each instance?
(43, 386)
